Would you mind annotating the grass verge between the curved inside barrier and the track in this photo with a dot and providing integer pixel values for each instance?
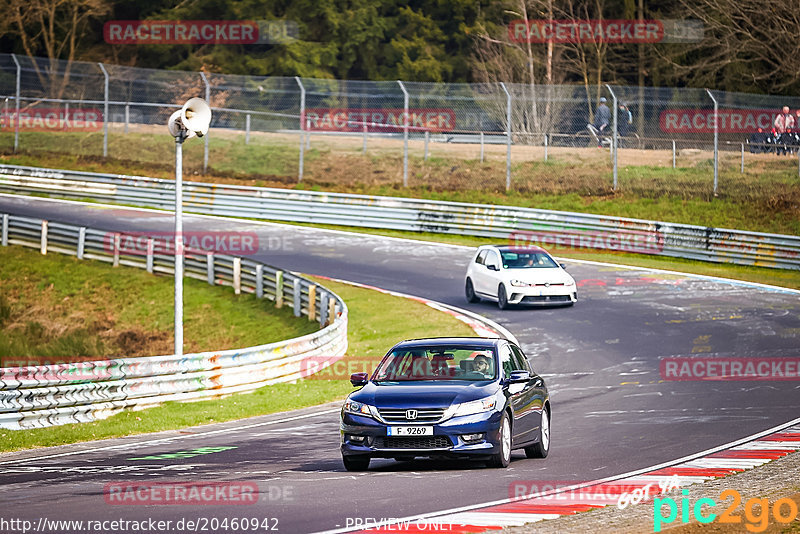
(376, 322)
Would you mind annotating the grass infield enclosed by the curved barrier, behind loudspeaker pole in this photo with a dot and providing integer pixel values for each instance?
(55, 308)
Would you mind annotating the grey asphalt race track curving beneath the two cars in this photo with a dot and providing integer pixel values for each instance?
(612, 412)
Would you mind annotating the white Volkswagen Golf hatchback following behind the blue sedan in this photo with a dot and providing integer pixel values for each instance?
(526, 275)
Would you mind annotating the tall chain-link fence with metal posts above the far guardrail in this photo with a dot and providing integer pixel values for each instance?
(338, 133)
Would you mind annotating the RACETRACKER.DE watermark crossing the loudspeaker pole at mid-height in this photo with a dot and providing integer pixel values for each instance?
(233, 243)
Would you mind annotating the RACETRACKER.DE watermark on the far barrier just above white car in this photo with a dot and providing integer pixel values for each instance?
(635, 241)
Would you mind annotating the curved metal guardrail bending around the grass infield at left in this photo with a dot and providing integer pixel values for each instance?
(48, 395)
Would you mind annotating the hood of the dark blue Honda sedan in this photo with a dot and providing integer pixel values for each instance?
(403, 395)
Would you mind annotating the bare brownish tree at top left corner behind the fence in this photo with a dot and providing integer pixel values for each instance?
(51, 27)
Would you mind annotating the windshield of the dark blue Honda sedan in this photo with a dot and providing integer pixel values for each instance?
(437, 363)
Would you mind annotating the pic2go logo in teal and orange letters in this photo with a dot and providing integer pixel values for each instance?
(783, 511)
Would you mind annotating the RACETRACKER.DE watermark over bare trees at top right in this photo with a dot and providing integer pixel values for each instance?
(605, 31)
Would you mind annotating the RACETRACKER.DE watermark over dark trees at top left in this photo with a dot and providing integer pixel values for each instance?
(199, 31)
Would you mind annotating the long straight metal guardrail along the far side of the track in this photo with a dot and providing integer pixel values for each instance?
(514, 224)
